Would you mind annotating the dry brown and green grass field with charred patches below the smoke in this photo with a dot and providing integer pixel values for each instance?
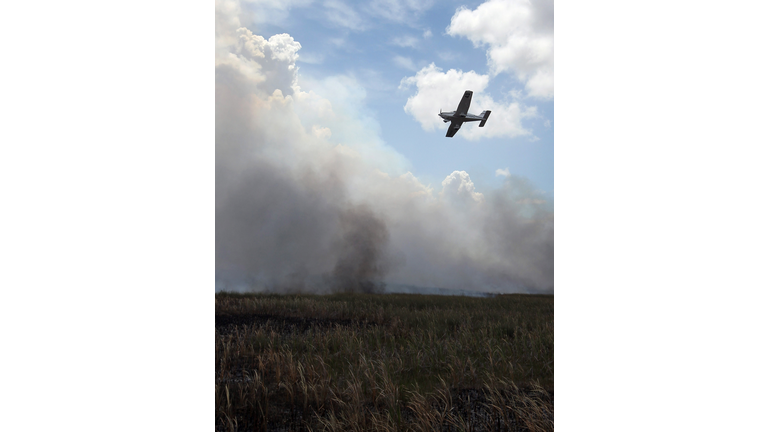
(394, 362)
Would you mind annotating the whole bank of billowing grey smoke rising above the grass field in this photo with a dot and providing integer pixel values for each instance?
(309, 200)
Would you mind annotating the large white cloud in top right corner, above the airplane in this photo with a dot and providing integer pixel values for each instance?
(519, 35)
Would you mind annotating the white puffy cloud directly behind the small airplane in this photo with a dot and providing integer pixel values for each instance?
(437, 90)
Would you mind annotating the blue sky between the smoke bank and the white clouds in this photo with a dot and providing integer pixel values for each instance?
(378, 50)
